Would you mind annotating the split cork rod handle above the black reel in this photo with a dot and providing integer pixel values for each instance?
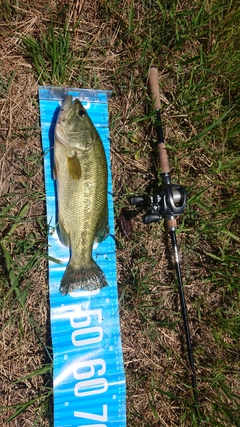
(154, 90)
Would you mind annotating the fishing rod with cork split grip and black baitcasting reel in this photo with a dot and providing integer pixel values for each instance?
(170, 202)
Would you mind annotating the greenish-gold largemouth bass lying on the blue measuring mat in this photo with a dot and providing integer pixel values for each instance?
(80, 169)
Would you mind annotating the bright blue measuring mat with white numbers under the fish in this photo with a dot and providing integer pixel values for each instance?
(88, 372)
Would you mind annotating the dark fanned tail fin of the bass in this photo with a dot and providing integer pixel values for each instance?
(85, 278)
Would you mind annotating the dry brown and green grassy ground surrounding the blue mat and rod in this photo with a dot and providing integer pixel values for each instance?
(110, 44)
